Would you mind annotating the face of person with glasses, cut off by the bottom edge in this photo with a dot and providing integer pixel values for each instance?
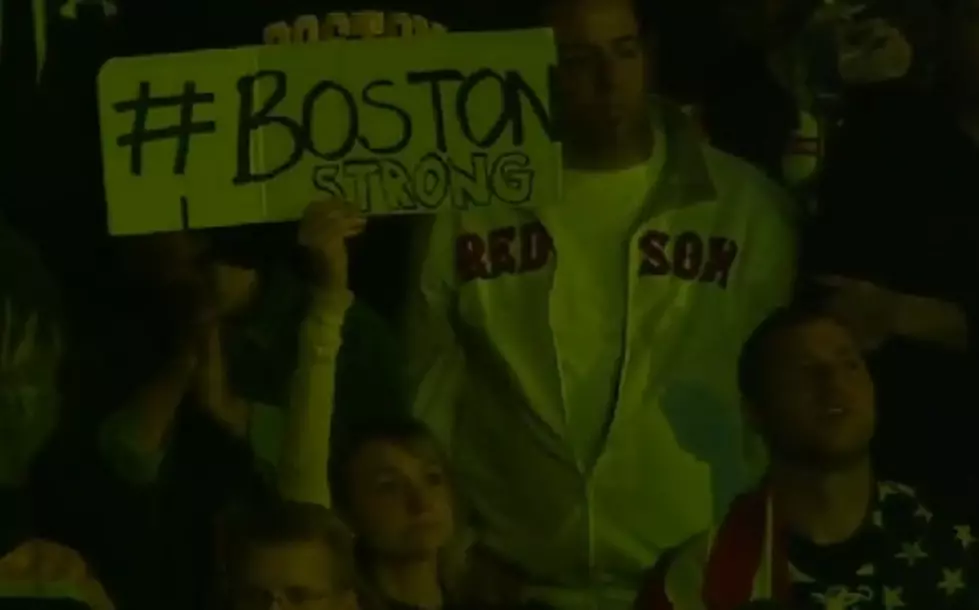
(292, 576)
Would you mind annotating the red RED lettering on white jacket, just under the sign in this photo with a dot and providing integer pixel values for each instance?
(479, 257)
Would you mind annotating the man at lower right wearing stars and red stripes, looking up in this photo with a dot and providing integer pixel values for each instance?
(823, 531)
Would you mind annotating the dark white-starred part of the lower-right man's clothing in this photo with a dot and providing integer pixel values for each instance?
(905, 556)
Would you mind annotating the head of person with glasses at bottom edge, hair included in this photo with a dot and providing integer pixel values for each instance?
(293, 555)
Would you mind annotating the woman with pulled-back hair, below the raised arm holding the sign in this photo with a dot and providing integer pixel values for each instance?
(390, 482)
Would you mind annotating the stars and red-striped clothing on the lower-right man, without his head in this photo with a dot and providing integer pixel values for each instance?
(903, 556)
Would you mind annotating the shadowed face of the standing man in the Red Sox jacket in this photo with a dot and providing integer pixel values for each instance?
(602, 71)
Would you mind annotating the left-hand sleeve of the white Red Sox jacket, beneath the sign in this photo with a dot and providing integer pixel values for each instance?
(434, 360)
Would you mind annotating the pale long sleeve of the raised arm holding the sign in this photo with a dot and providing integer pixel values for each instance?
(301, 473)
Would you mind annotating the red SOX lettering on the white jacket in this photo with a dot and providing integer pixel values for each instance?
(688, 257)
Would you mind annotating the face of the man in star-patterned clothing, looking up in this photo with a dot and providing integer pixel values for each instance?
(819, 397)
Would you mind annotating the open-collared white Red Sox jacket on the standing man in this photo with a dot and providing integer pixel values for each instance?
(485, 375)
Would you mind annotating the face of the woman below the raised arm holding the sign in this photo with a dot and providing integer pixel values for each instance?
(401, 503)
